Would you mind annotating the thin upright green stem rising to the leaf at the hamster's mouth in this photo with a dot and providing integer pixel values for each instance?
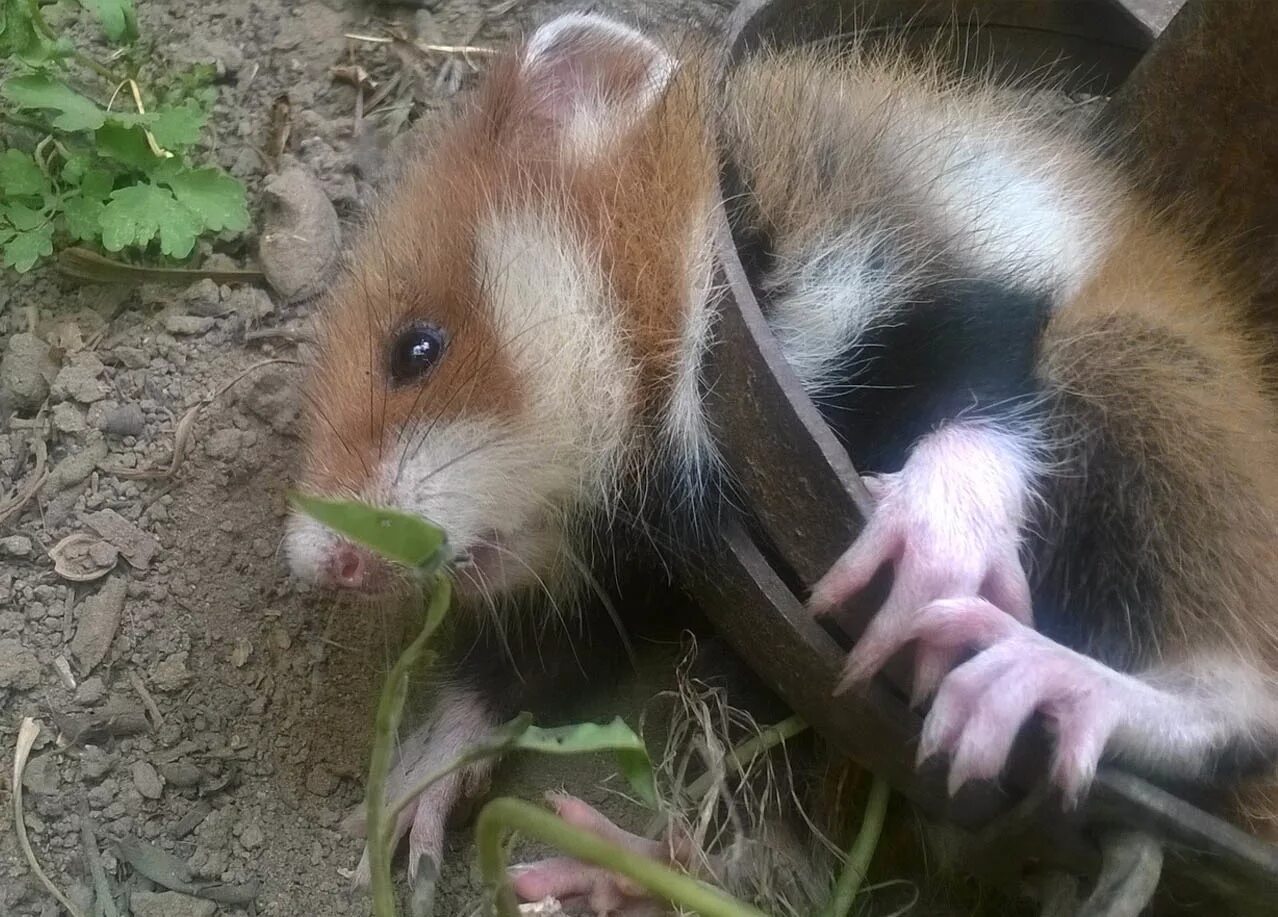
(390, 708)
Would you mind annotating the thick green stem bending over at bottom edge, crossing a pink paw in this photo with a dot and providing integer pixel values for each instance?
(679, 890)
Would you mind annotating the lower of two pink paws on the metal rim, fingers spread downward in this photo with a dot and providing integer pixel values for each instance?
(983, 704)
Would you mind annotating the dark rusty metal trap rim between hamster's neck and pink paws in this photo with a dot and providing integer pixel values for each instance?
(765, 422)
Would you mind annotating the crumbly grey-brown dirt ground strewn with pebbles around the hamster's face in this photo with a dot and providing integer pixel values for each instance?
(219, 712)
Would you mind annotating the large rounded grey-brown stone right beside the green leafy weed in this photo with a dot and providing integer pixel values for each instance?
(301, 234)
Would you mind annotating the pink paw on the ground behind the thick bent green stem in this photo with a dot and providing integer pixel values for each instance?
(573, 882)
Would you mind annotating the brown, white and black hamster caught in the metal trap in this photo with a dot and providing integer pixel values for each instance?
(1055, 399)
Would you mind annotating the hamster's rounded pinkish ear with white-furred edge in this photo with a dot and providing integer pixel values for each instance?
(592, 77)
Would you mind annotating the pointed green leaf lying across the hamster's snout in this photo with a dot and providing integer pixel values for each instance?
(399, 537)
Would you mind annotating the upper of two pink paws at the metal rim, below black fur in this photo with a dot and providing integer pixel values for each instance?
(949, 523)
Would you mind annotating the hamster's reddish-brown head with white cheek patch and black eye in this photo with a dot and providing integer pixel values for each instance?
(513, 319)
